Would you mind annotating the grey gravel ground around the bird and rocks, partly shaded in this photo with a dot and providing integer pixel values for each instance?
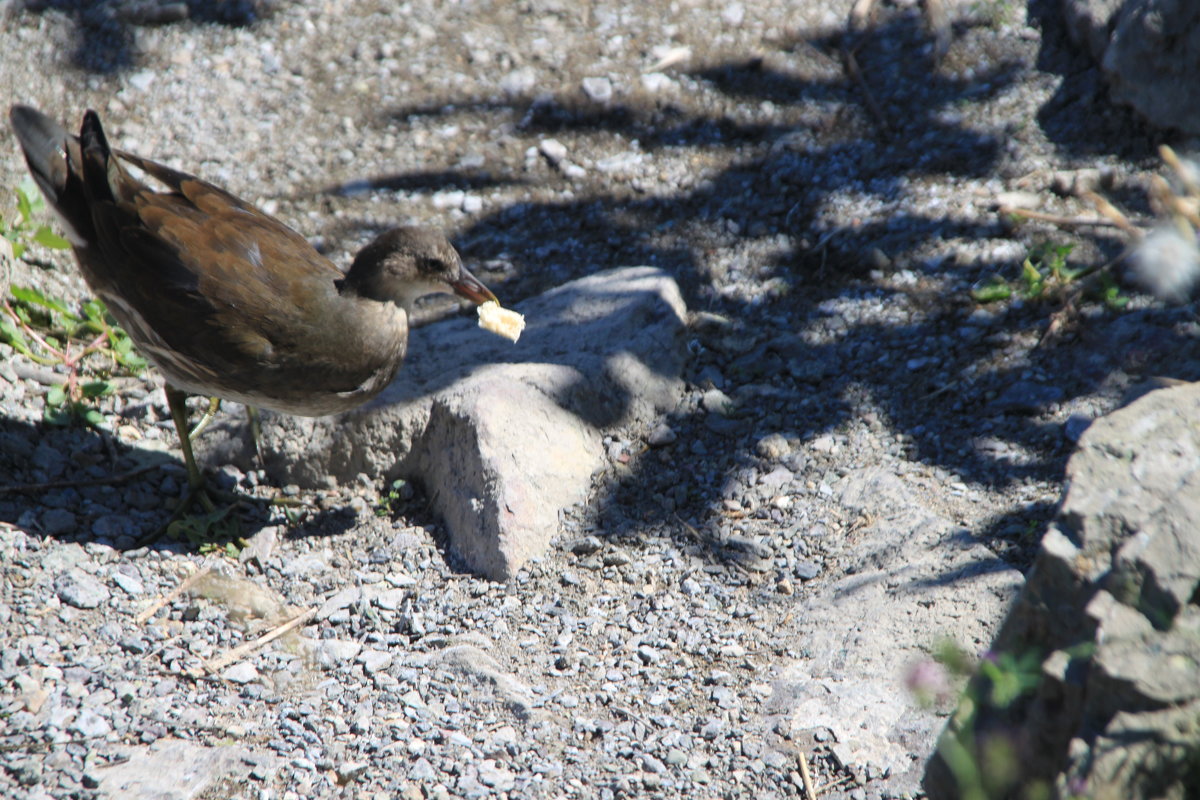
(827, 232)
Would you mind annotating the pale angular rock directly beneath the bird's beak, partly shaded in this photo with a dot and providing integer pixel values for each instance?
(506, 436)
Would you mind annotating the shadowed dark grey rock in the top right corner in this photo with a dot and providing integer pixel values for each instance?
(1149, 51)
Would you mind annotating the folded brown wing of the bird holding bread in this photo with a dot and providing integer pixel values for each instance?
(208, 273)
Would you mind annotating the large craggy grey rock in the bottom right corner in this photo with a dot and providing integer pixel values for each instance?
(1111, 623)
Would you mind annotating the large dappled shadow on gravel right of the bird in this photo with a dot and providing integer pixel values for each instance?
(973, 405)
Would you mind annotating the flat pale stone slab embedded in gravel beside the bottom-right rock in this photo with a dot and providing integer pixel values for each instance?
(897, 593)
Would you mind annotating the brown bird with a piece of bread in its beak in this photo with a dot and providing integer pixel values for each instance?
(227, 302)
